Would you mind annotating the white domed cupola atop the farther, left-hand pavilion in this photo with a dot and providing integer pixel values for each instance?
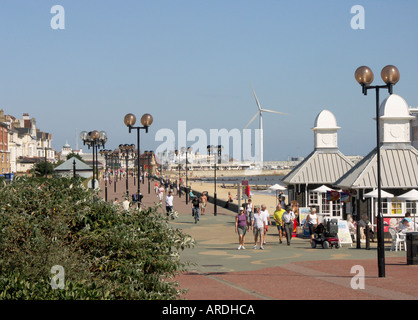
(325, 130)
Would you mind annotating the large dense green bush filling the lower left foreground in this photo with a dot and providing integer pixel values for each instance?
(106, 253)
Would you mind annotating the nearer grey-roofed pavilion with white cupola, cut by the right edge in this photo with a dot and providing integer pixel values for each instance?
(399, 166)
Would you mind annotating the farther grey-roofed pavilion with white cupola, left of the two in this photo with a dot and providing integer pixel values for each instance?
(309, 182)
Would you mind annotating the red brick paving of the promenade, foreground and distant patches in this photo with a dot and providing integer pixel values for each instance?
(312, 280)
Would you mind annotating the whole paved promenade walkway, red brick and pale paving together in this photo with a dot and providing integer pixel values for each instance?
(295, 272)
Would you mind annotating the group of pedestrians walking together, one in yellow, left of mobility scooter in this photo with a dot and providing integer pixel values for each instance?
(257, 218)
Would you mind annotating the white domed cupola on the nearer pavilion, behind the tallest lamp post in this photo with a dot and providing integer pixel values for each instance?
(395, 120)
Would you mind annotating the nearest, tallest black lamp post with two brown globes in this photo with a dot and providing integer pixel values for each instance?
(364, 76)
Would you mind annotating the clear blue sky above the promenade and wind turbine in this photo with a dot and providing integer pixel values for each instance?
(196, 60)
